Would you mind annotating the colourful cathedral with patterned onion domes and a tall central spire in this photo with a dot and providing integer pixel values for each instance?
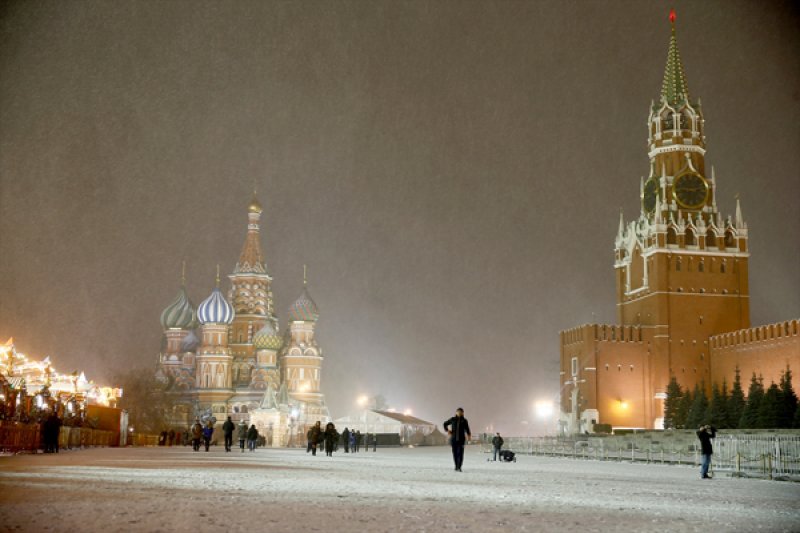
(228, 357)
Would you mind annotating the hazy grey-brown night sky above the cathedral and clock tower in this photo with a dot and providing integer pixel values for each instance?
(450, 172)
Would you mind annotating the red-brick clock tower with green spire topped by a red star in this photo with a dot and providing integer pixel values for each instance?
(681, 271)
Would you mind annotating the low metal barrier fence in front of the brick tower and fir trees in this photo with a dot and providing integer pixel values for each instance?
(769, 456)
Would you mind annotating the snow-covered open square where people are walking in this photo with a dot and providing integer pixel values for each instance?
(175, 489)
